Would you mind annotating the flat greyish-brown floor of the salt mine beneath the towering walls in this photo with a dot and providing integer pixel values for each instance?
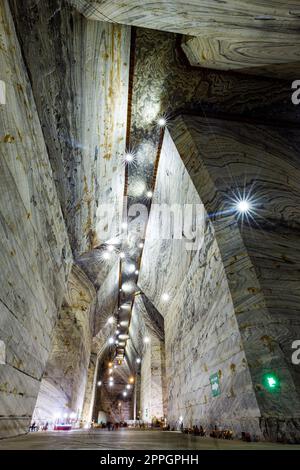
(127, 439)
